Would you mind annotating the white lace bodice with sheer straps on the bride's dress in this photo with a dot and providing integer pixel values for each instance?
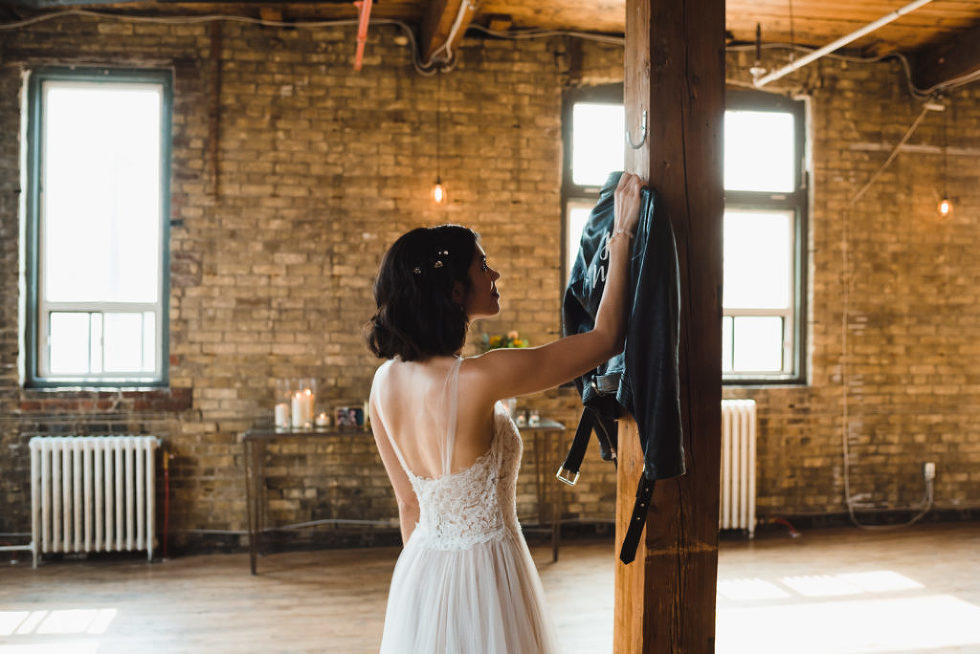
(474, 505)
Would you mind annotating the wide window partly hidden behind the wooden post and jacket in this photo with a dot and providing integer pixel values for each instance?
(764, 222)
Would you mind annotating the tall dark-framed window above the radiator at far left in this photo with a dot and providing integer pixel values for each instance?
(98, 164)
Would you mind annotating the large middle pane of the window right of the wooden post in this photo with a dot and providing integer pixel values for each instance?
(758, 259)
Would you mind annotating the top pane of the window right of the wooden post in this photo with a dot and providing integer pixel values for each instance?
(759, 151)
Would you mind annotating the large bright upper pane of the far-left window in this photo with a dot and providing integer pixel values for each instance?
(101, 180)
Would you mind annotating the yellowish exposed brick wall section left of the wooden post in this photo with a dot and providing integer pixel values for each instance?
(318, 170)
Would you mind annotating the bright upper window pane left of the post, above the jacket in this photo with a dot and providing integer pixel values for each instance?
(598, 142)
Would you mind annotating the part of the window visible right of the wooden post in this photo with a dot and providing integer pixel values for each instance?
(765, 212)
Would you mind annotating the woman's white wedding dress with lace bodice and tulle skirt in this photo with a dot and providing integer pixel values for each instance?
(465, 582)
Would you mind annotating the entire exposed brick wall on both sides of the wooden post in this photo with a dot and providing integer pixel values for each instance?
(319, 168)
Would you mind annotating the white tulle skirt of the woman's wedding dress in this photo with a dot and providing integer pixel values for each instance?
(483, 600)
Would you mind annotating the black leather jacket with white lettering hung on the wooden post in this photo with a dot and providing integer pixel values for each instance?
(643, 379)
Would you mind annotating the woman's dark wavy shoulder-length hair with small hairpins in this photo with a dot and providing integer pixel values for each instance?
(416, 316)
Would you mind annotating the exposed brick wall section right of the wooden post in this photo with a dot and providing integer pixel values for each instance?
(906, 388)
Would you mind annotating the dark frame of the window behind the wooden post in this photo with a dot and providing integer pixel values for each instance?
(796, 201)
